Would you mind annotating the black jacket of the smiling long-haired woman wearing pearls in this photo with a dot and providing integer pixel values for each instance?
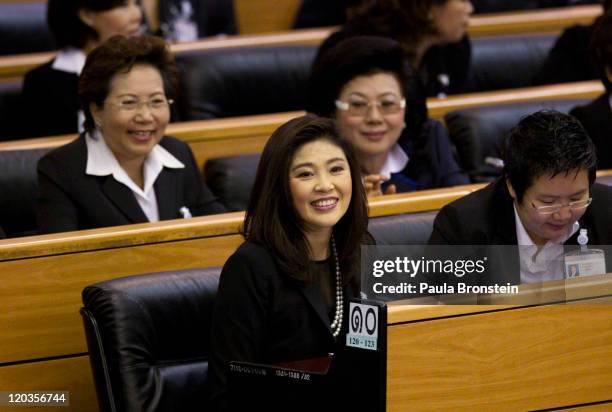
(263, 315)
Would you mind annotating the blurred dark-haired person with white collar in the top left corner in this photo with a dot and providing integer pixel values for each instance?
(50, 90)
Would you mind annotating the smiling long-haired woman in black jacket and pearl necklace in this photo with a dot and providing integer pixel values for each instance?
(282, 295)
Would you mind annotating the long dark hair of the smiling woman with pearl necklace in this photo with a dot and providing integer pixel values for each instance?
(271, 218)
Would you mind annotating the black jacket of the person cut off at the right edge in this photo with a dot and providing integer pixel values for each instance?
(596, 118)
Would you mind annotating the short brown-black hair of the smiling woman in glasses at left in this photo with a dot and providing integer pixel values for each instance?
(118, 55)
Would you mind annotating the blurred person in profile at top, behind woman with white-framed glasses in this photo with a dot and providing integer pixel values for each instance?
(432, 33)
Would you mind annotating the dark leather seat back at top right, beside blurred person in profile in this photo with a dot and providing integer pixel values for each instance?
(506, 62)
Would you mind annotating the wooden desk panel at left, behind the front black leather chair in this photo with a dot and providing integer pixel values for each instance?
(40, 297)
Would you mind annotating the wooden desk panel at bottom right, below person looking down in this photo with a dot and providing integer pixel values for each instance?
(504, 357)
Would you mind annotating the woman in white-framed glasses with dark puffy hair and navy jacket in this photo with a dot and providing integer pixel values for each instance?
(365, 85)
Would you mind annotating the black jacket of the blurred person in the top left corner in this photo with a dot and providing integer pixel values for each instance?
(51, 96)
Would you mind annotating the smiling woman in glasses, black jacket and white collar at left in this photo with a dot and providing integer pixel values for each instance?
(122, 169)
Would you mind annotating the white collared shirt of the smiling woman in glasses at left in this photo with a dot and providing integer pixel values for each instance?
(102, 162)
